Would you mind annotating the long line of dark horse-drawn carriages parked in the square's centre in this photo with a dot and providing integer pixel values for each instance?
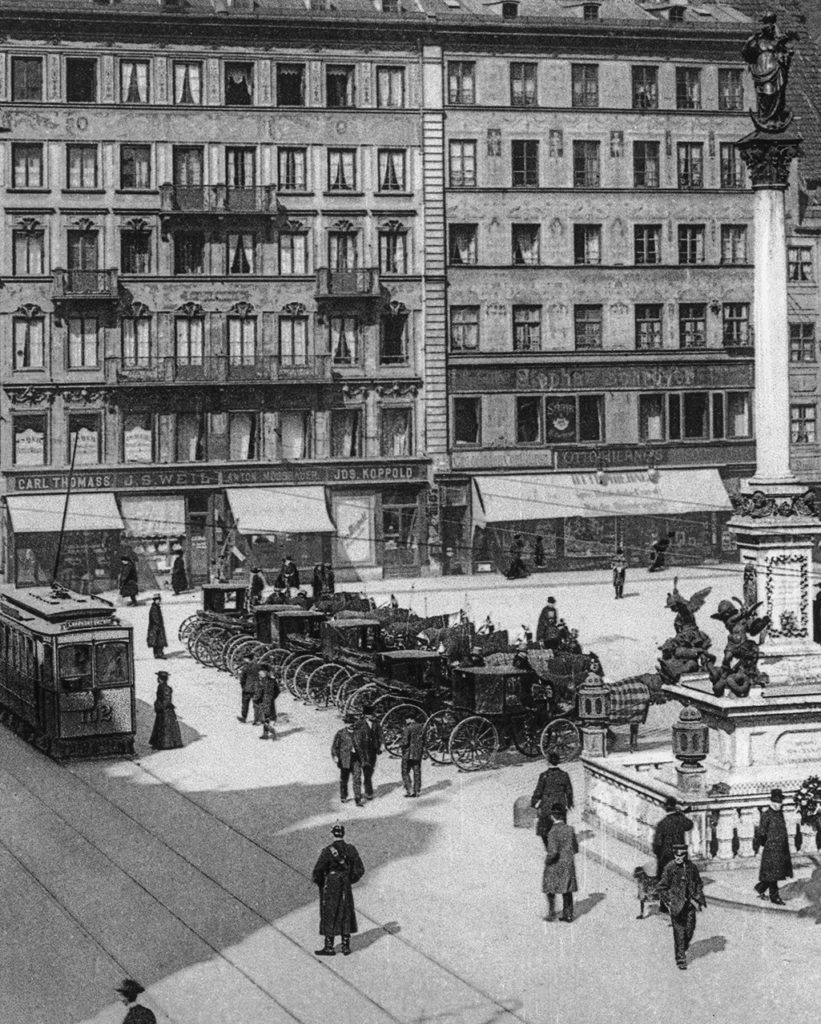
(349, 655)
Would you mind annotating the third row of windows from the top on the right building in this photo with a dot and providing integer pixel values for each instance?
(647, 246)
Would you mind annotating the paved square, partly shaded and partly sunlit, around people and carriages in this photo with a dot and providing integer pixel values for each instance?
(190, 870)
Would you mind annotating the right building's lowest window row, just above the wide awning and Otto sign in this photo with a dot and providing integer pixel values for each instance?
(577, 419)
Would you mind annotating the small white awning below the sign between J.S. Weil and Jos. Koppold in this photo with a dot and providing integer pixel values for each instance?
(280, 510)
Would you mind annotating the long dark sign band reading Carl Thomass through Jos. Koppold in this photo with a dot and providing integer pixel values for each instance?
(158, 479)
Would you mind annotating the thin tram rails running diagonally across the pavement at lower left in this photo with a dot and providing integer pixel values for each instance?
(499, 1006)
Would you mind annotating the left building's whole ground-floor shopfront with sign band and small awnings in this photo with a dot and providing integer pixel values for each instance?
(356, 516)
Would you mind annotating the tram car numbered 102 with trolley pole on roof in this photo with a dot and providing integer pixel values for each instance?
(67, 676)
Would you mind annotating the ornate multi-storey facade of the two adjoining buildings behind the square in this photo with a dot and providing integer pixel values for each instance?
(371, 271)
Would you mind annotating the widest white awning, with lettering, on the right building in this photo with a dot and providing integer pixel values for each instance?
(561, 496)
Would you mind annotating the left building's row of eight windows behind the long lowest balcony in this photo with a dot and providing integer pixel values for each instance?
(345, 337)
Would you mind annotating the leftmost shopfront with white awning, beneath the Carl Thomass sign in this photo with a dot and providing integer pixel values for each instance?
(90, 556)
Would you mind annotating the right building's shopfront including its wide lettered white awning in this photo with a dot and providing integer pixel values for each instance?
(581, 519)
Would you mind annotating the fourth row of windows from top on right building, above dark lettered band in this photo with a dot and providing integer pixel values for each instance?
(589, 327)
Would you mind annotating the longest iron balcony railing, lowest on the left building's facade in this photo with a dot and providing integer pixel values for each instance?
(220, 370)
